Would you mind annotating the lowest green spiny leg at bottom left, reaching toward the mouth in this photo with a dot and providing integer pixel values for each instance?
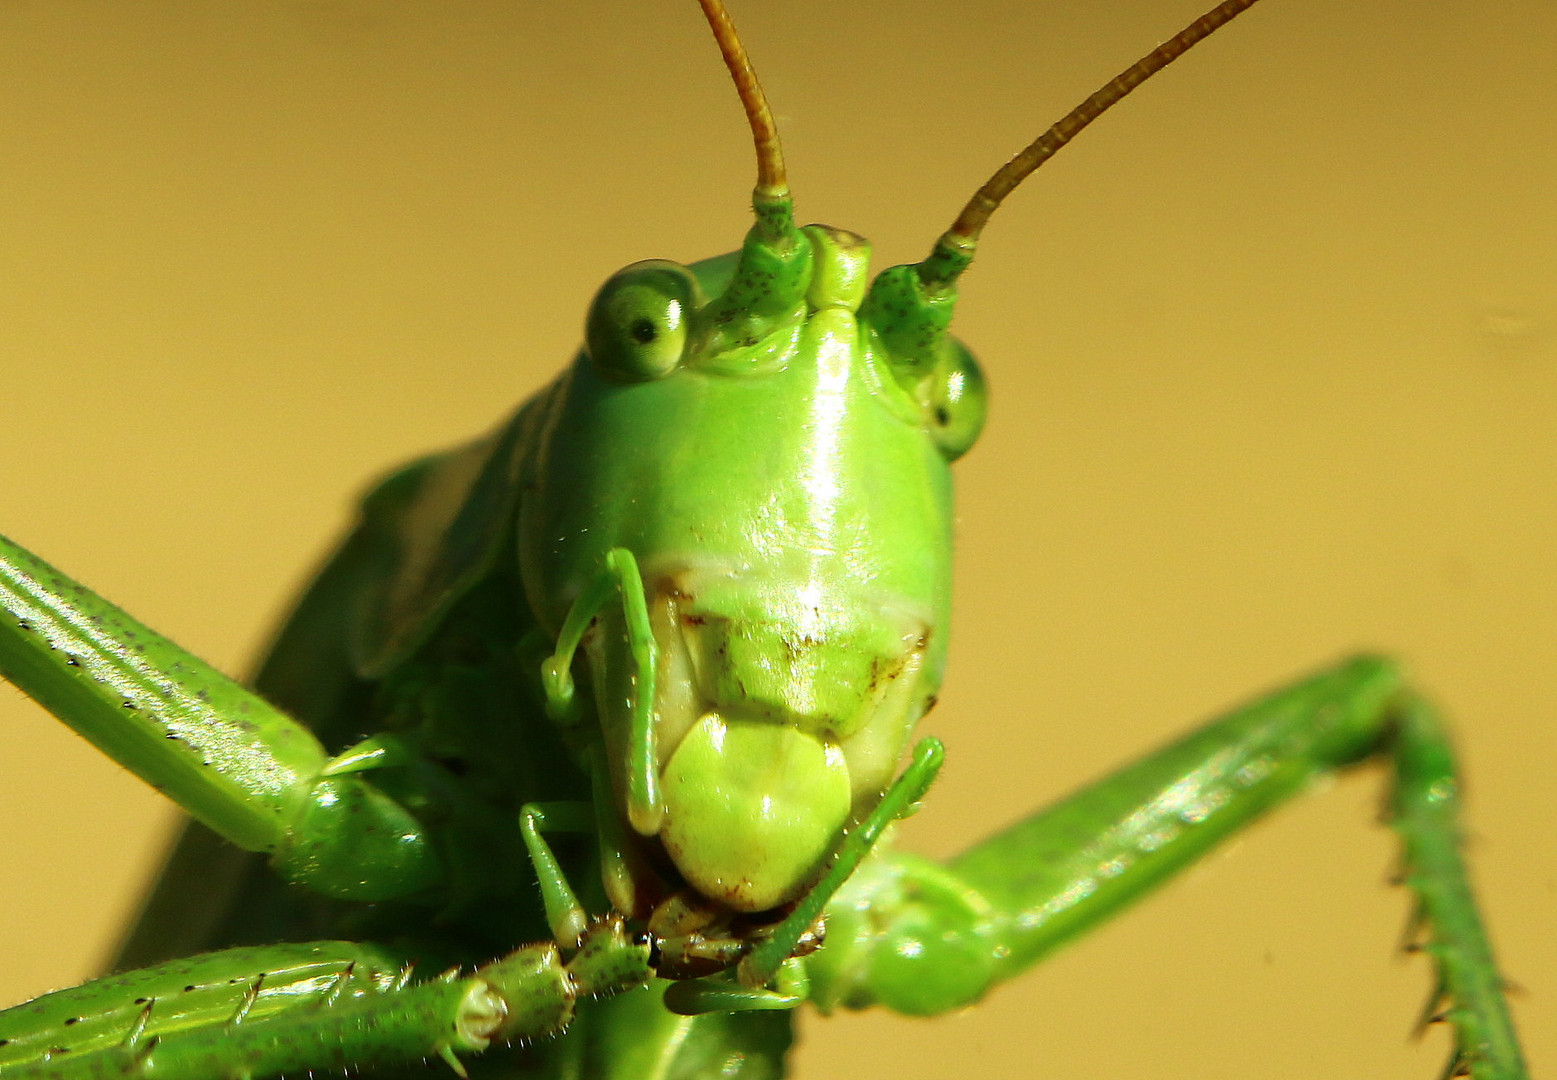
(284, 1009)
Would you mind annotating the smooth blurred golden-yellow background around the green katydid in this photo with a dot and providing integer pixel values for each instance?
(1274, 371)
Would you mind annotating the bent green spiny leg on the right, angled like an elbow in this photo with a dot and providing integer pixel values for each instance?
(927, 939)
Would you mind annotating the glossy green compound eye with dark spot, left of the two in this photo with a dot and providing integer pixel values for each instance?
(638, 326)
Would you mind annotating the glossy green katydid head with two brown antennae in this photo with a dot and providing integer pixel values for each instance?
(768, 435)
